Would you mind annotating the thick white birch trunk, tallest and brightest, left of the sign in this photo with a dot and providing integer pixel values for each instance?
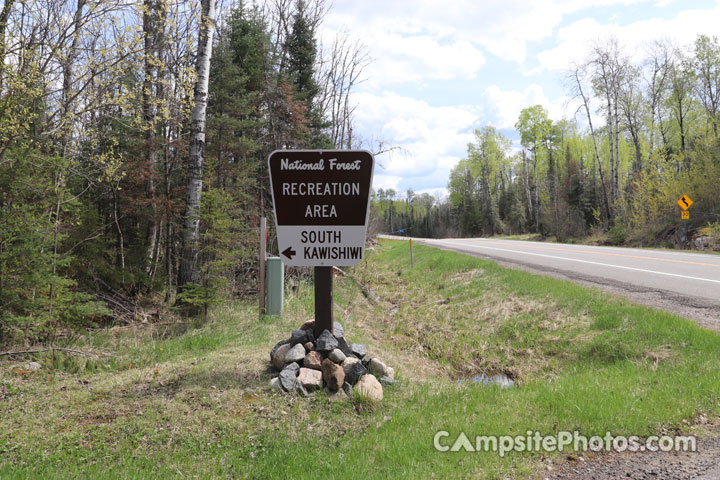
(191, 232)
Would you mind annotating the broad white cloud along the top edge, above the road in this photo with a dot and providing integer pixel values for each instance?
(439, 39)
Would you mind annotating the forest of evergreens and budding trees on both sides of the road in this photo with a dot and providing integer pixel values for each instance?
(134, 138)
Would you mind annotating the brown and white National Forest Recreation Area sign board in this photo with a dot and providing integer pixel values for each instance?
(321, 201)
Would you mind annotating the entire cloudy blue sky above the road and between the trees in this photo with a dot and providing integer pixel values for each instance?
(442, 69)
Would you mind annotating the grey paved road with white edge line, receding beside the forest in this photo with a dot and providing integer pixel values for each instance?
(683, 282)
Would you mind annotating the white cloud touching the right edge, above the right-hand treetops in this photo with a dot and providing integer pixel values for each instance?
(576, 39)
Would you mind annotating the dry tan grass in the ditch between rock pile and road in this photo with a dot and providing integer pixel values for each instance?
(458, 323)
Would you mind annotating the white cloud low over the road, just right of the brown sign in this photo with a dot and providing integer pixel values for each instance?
(431, 139)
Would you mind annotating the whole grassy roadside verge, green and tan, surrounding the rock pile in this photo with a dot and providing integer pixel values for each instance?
(193, 401)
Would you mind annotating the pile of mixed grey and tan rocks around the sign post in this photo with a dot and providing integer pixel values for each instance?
(328, 362)
